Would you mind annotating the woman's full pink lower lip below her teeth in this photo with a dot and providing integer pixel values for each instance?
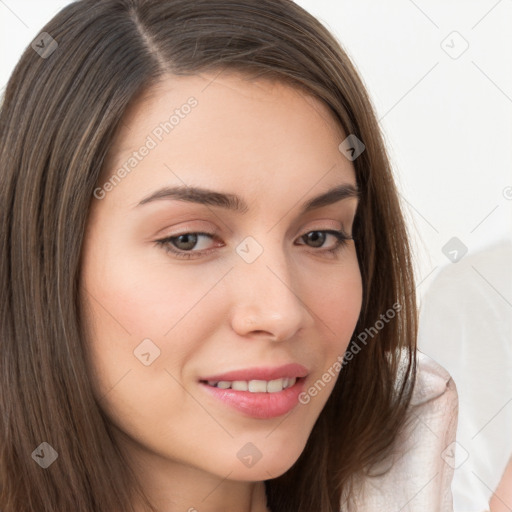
(259, 405)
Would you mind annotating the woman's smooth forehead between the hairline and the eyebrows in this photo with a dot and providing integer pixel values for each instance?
(239, 131)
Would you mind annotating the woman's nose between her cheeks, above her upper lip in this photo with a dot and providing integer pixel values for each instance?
(267, 298)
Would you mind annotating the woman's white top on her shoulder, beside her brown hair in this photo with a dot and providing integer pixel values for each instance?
(422, 465)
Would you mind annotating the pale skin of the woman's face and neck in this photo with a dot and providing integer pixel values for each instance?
(276, 148)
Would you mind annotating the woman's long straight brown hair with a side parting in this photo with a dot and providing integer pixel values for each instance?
(59, 115)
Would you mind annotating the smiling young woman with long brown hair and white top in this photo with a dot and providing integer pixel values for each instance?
(207, 293)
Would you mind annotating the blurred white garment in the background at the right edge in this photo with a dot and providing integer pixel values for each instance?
(466, 325)
